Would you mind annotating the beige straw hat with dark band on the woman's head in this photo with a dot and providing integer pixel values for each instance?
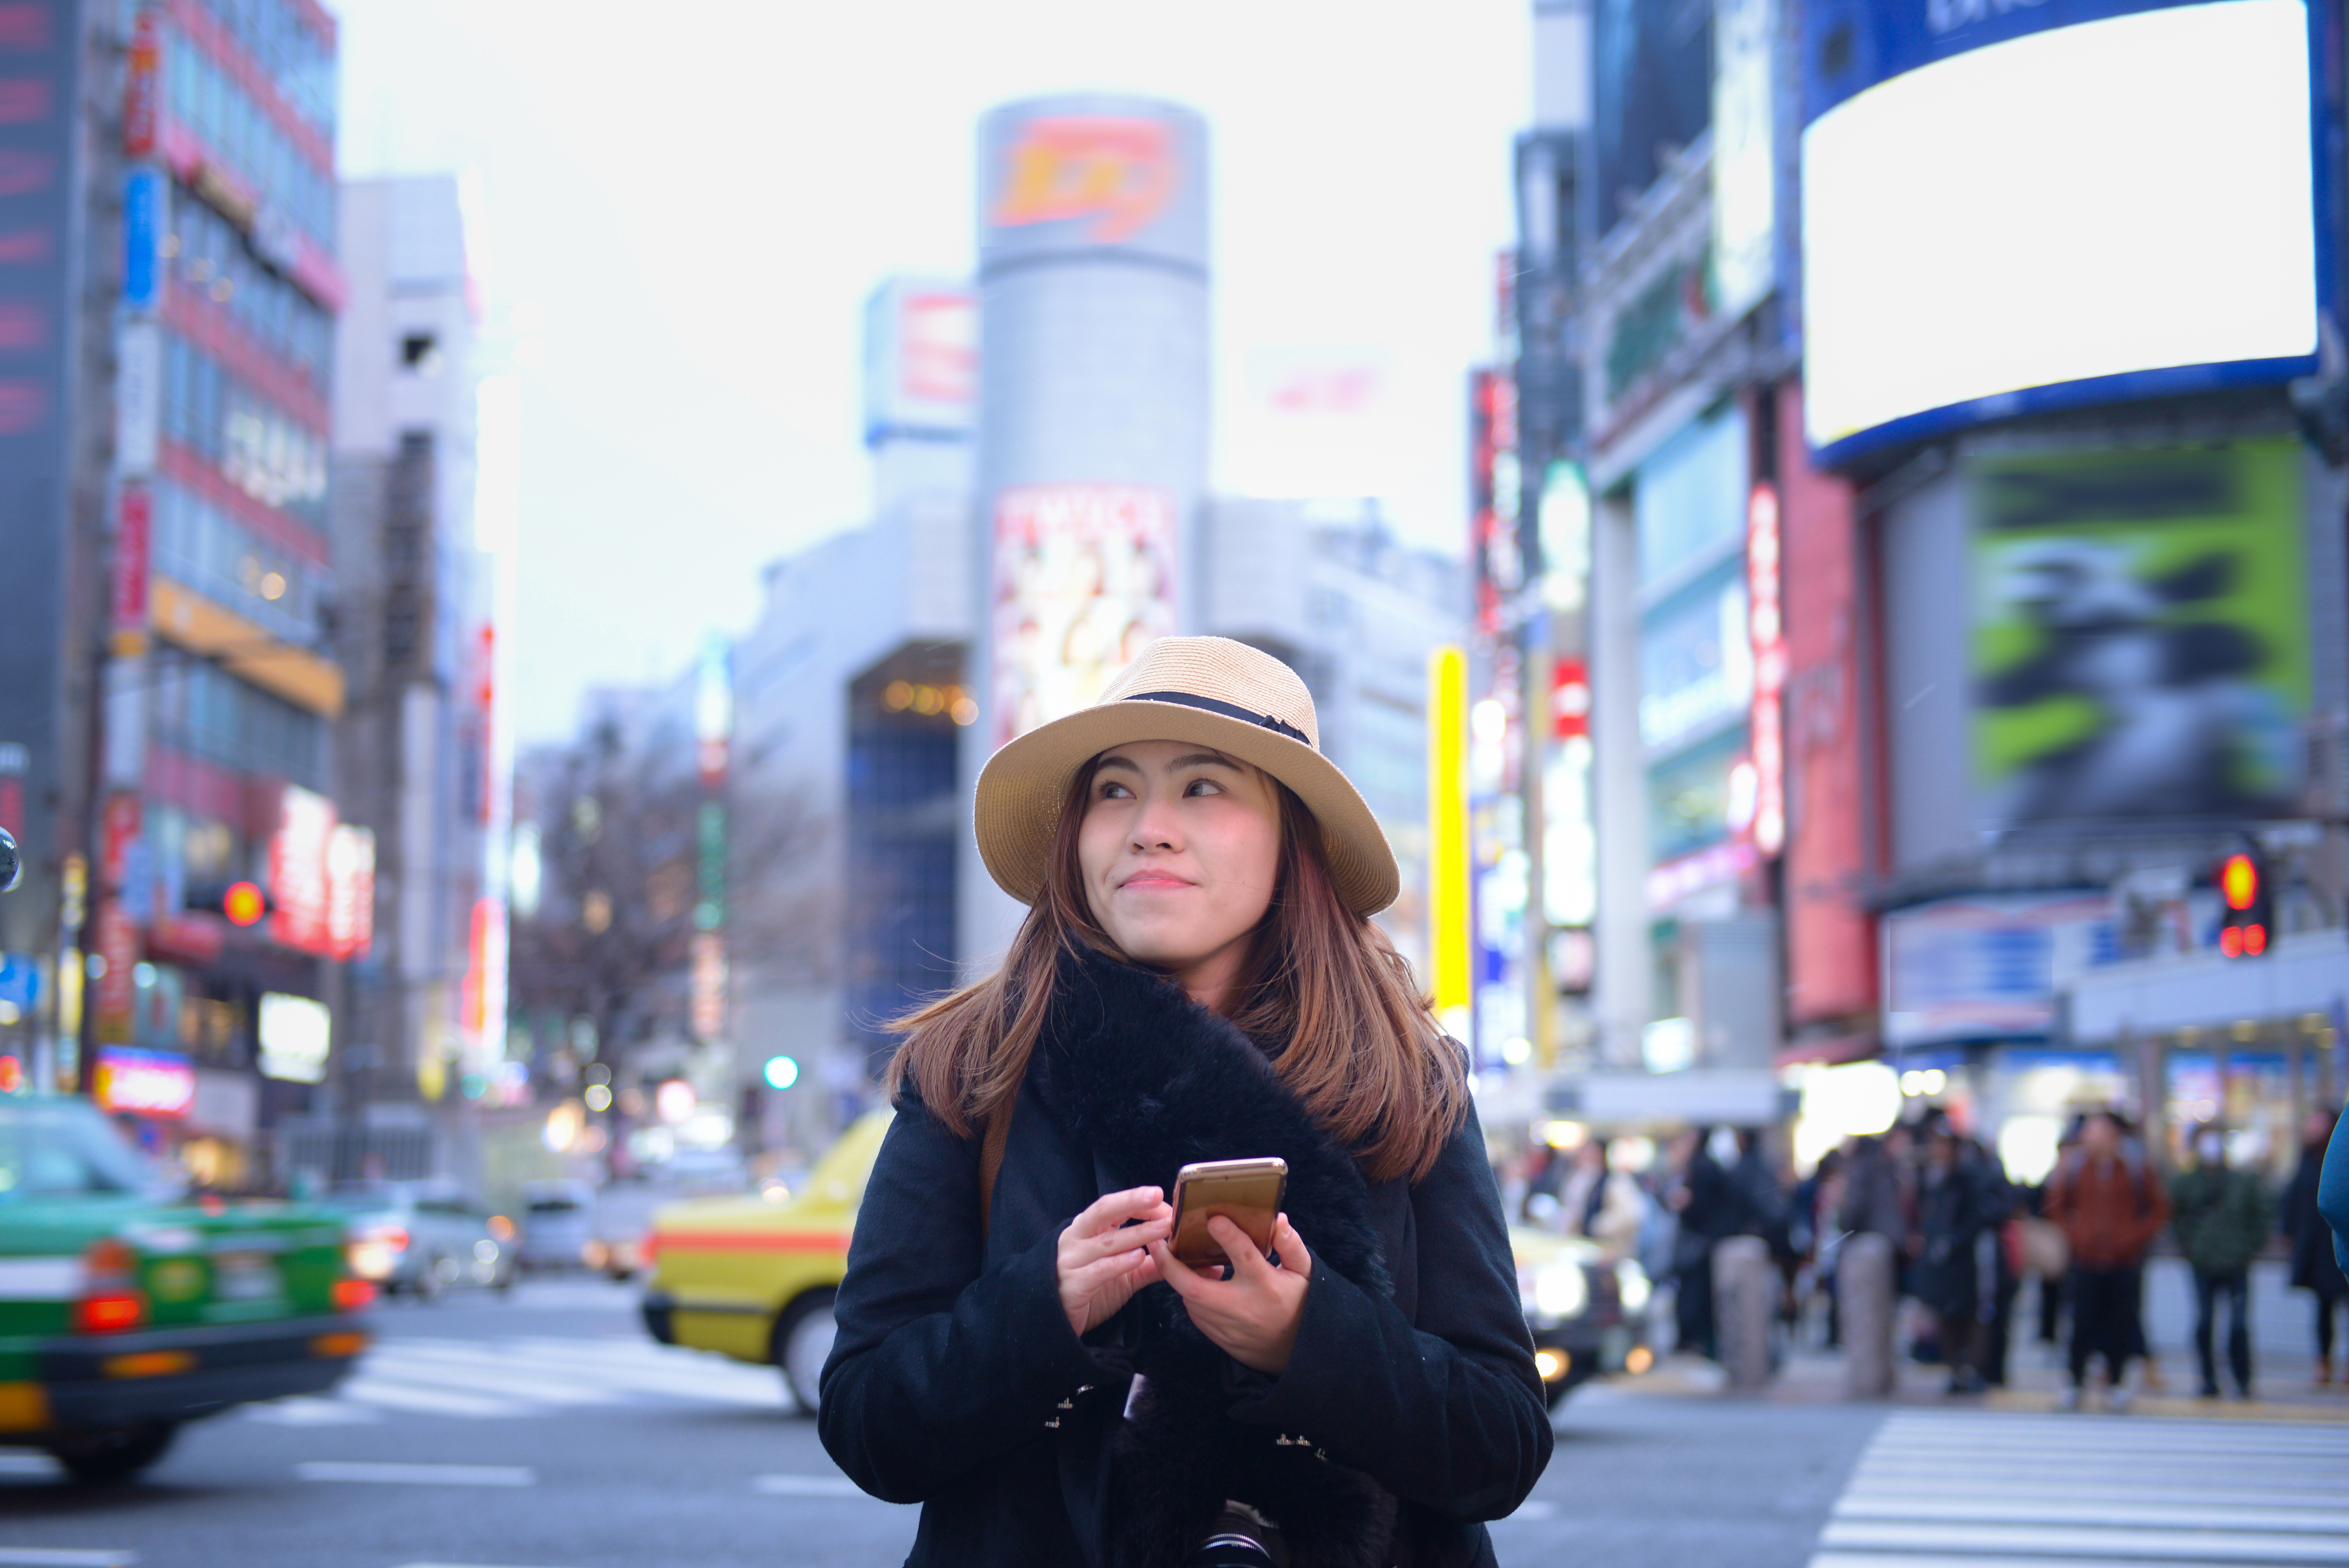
(1199, 689)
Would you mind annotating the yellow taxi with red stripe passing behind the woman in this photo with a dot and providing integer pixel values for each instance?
(753, 1280)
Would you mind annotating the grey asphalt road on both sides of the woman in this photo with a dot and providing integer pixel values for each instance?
(548, 1433)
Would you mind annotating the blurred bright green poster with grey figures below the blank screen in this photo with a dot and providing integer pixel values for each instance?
(2141, 633)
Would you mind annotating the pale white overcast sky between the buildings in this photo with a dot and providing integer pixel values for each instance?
(685, 219)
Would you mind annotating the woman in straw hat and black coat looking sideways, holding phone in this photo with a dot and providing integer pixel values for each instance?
(1197, 980)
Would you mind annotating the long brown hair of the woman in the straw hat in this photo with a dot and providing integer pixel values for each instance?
(1324, 987)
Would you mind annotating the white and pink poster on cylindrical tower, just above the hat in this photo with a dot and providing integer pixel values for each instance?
(1084, 583)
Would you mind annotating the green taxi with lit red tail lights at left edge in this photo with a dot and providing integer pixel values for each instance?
(126, 1316)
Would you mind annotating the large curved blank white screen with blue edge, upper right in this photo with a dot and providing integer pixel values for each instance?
(2122, 203)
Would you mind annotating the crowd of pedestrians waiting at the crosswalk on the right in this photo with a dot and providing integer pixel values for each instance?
(1967, 1238)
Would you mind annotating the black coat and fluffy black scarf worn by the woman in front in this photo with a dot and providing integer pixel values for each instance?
(1411, 1407)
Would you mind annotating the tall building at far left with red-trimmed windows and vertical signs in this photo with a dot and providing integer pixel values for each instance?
(170, 691)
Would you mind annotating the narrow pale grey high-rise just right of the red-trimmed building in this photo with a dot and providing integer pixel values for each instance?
(412, 628)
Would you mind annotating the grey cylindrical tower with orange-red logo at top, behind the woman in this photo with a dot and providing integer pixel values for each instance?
(1093, 417)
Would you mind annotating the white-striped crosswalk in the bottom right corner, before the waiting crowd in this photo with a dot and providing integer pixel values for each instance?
(2080, 1492)
